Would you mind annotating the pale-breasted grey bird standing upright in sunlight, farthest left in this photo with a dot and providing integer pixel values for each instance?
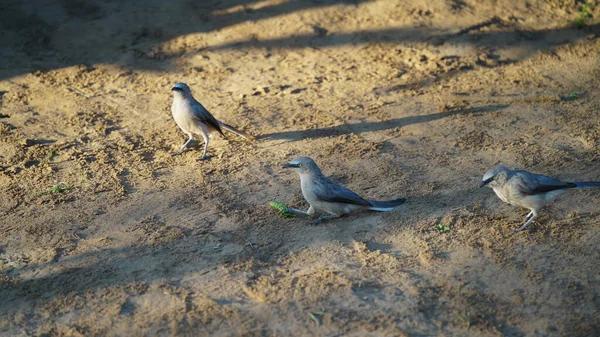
(194, 119)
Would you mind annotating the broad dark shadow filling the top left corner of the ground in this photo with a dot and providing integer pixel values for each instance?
(46, 35)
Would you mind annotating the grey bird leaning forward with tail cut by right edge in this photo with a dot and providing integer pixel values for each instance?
(528, 190)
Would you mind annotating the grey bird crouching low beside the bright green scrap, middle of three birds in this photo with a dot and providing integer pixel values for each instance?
(325, 195)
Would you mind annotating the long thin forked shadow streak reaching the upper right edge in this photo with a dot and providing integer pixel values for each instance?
(508, 36)
